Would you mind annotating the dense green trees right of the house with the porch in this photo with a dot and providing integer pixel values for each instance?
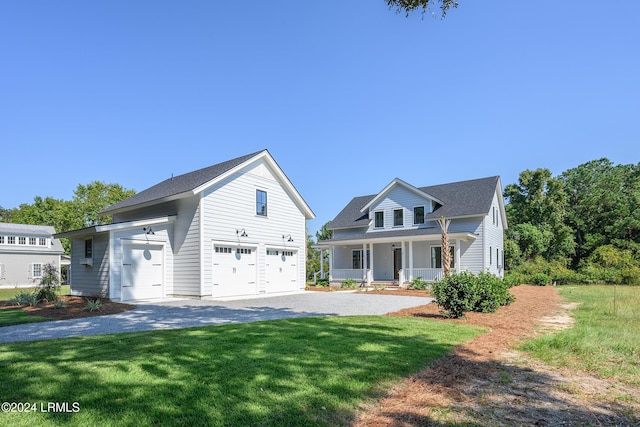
(580, 226)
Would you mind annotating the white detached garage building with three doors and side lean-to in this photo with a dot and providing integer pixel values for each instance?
(233, 229)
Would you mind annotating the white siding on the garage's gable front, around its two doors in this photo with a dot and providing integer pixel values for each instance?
(230, 205)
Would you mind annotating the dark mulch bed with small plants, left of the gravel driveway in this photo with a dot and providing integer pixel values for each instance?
(75, 308)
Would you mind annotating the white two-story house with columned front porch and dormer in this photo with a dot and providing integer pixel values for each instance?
(393, 236)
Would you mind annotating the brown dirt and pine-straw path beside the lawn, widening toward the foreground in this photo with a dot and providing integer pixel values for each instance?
(485, 382)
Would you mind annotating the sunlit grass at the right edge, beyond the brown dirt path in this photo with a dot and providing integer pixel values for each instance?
(602, 342)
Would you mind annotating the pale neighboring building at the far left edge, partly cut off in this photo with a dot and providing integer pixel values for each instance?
(24, 251)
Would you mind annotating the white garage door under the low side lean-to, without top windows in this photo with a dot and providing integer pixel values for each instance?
(142, 271)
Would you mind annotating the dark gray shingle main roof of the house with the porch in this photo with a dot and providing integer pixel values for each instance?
(457, 199)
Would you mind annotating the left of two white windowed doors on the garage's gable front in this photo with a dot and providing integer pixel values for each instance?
(234, 271)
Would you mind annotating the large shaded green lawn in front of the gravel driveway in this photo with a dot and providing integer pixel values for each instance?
(296, 372)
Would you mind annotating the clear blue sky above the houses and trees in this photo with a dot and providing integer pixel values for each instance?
(346, 94)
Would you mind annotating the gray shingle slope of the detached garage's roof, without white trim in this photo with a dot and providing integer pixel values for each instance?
(179, 184)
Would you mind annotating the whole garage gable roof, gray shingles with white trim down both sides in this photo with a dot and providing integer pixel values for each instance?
(194, 182)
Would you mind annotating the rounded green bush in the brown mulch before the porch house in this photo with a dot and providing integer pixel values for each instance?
(459, 293)
